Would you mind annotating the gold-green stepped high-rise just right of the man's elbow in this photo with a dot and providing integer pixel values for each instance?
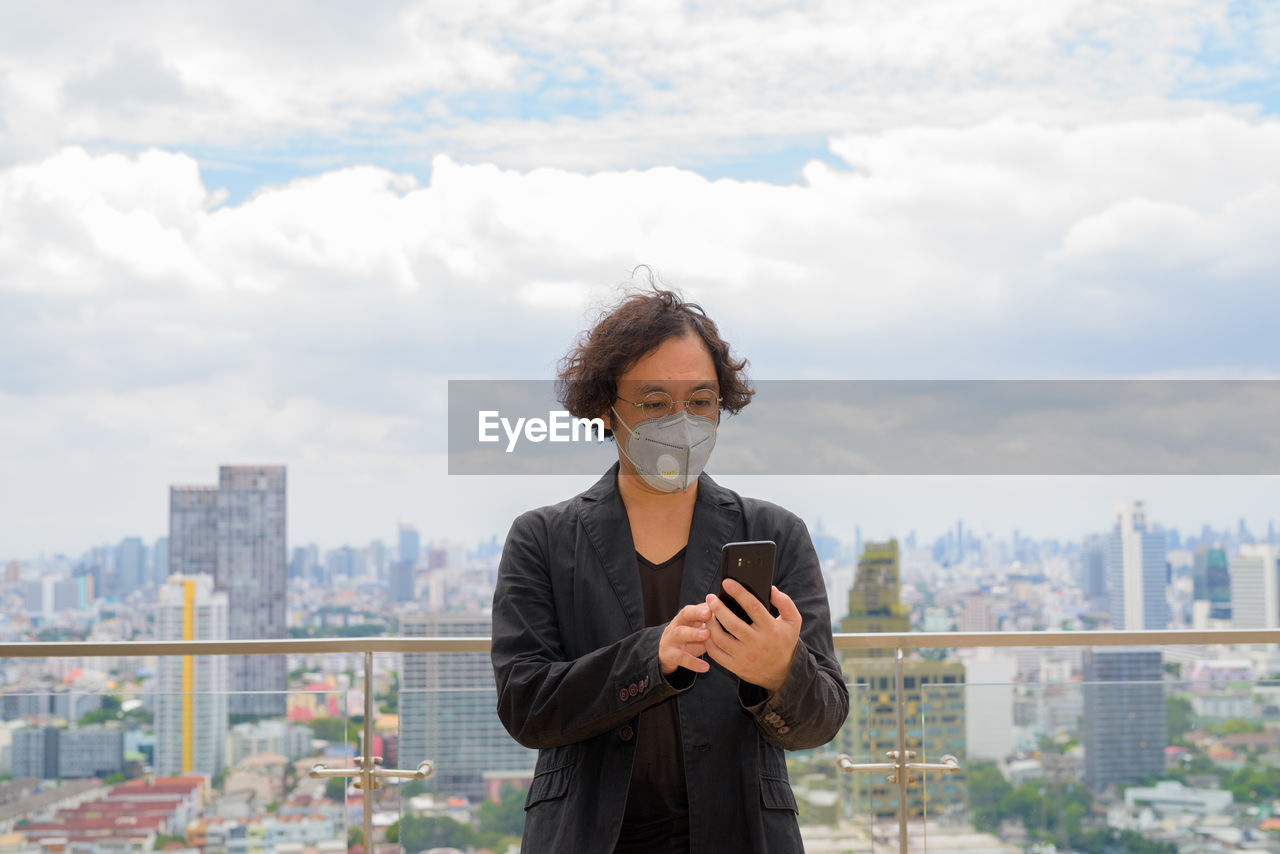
(935, 688)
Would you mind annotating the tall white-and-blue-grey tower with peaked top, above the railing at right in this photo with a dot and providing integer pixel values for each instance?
(1136, 572)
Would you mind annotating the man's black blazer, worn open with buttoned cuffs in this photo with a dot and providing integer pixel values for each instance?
(577, 666)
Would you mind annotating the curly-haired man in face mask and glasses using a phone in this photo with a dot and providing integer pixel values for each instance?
(661, 719)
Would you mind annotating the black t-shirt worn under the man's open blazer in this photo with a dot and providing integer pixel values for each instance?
(657, 815)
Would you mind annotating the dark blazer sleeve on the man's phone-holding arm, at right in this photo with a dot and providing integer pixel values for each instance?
(813, 702)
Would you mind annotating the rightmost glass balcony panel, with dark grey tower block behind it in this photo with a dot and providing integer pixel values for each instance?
(1116, 755)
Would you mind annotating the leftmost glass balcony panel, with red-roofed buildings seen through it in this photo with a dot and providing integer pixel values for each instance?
(143, 768)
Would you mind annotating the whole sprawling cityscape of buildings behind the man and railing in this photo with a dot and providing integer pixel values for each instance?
(1076, 748)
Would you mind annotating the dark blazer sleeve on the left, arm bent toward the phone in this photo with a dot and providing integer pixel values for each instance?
(546, 697)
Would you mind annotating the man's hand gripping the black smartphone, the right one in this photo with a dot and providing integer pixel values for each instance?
(761, 652)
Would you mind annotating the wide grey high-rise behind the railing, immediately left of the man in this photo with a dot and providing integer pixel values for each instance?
(447, 710)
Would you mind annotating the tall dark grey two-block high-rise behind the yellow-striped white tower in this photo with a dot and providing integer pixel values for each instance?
(236, 533)
